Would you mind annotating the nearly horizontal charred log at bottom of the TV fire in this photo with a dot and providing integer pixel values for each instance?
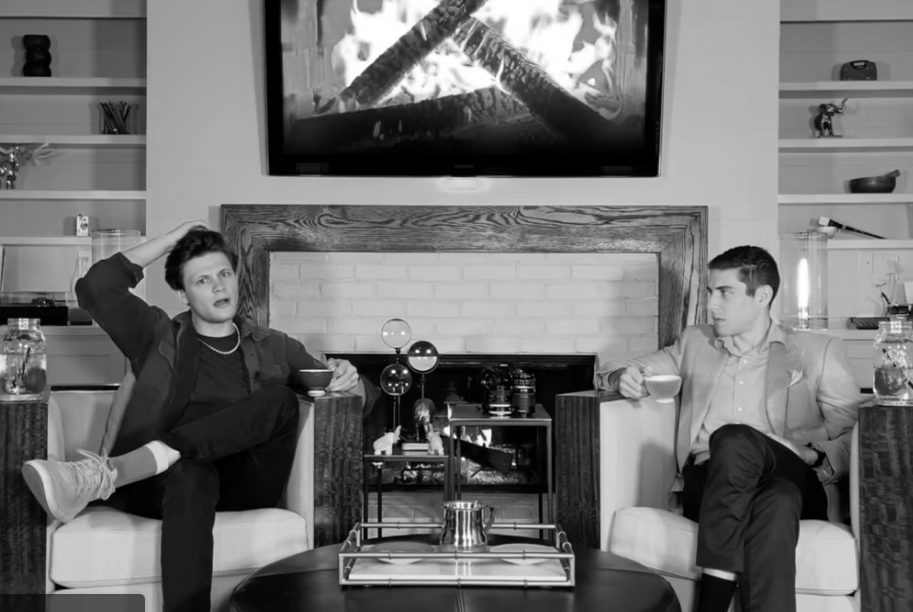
(386, 126)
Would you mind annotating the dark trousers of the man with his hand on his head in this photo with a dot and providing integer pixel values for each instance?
(236, 457)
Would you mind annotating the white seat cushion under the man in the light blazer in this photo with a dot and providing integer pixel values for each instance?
(826, 562)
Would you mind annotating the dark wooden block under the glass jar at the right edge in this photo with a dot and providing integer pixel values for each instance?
(886, 508)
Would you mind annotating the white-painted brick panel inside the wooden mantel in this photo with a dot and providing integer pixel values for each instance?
(563, 303)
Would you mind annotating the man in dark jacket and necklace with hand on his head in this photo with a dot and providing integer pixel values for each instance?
(212, 421)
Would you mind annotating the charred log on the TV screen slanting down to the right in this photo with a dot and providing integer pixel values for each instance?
(545, 99)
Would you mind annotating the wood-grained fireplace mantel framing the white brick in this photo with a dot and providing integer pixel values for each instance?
(677, 234)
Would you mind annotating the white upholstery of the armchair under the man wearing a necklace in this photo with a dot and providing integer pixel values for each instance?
(106, 551)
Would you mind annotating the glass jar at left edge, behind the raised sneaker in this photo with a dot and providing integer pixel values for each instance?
(23, 361)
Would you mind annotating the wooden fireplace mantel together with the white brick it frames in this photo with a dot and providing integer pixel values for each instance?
(599, 280)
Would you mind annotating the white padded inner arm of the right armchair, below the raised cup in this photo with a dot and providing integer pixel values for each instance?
(637, 459)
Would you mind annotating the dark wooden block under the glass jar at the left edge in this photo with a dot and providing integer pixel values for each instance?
(23, 523)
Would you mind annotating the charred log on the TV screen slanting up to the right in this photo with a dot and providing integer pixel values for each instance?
(388, 70)
